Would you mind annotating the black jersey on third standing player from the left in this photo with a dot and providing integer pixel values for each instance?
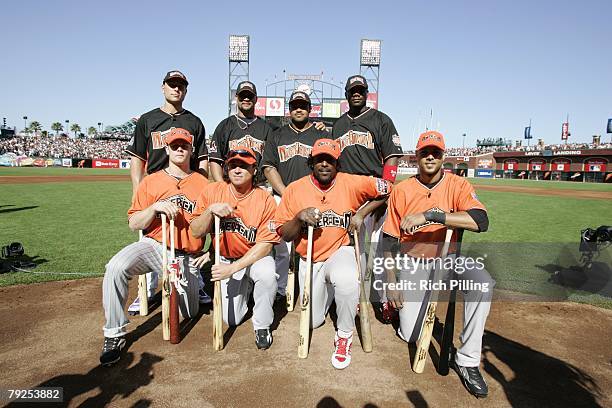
(288, 149)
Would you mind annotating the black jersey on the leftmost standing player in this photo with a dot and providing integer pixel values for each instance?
(148, 140)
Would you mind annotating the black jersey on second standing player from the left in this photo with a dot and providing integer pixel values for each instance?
(233, 132)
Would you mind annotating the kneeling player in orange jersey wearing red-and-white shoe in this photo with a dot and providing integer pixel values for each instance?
(327, 200)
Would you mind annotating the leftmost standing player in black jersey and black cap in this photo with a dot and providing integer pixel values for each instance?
(148, 152)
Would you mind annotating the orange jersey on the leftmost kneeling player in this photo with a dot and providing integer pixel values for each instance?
(161, 186)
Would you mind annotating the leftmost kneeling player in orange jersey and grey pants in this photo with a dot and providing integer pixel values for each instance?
(171, 191)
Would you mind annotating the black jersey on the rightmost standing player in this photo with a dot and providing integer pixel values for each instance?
(366, 142)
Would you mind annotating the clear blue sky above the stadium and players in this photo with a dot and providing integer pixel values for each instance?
(484, 67)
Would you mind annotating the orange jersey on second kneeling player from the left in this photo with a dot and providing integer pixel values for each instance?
(250, 221)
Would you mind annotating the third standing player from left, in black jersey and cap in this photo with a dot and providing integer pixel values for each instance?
(285, 160)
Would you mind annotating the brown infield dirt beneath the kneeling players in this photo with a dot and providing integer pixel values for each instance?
(535, 354)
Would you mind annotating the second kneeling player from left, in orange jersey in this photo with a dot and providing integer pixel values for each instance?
(246, 241)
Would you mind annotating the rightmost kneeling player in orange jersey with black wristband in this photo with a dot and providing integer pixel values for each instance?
(421, 208)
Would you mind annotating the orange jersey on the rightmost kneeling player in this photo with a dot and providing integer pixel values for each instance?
(449, 195)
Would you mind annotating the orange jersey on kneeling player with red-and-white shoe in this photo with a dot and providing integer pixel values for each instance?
(337, 205)
